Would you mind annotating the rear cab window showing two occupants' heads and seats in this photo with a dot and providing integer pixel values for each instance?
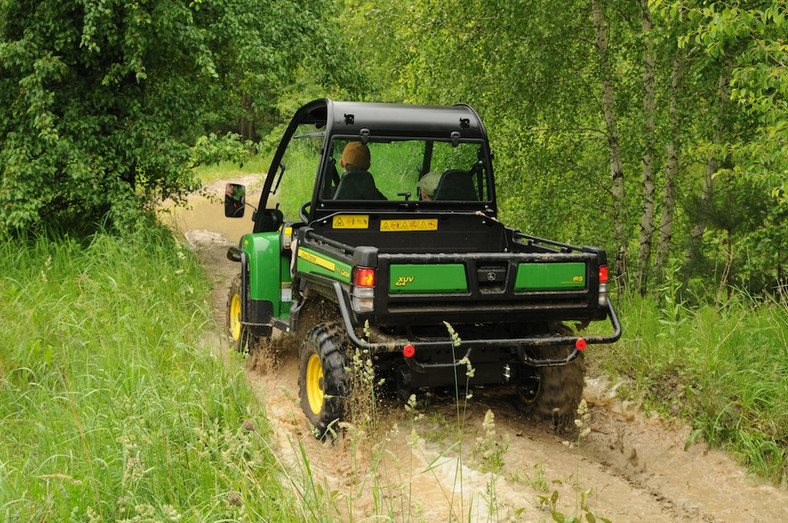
(405, 170)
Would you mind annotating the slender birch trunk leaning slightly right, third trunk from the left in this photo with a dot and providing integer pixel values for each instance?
(671, 169)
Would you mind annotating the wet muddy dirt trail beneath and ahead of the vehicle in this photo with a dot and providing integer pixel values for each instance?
(628, 468)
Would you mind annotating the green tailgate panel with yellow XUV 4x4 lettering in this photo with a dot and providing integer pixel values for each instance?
(416, 278)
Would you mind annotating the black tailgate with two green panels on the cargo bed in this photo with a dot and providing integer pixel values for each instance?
(425, 288)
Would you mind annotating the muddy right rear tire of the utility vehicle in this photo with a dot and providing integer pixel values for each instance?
(560, 390)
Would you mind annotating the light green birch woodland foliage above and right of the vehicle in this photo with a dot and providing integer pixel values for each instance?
(533, 73)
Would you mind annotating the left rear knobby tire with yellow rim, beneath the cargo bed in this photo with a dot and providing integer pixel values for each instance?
(323, 378)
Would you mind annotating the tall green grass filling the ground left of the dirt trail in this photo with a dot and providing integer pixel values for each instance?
(112, 407)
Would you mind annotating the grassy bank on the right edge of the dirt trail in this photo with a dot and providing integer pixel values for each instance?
(722, 366)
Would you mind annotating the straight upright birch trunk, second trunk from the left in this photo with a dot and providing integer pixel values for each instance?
(647, 182)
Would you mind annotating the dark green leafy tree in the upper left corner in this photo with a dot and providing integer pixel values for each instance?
(101, 101)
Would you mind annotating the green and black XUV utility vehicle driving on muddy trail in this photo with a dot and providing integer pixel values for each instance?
(402, 258)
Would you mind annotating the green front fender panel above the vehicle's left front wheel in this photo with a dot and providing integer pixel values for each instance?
(267, 270)
